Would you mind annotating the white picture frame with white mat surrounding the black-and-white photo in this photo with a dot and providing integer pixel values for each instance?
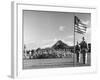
(17, 35)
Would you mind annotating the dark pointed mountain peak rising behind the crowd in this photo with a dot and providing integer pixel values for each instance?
(60, 45)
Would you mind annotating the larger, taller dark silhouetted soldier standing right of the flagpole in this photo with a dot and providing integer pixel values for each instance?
(83, 47)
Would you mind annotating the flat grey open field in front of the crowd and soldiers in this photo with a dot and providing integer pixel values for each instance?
(53, 63)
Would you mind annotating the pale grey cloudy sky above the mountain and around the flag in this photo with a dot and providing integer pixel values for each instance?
(43, 29)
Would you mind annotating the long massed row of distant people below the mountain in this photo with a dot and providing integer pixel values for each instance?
(46, 53)
